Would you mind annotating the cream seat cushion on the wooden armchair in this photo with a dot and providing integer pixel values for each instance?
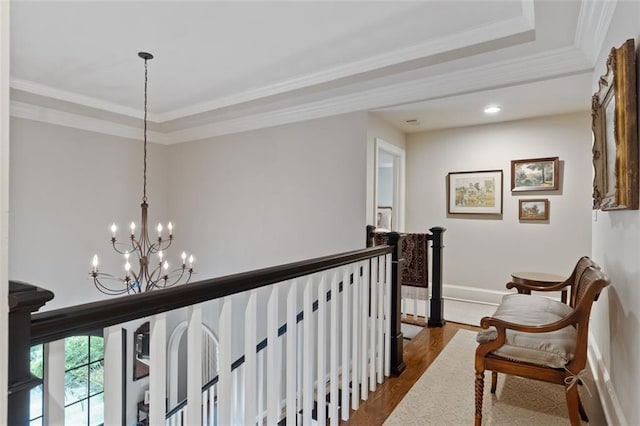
(552, 349)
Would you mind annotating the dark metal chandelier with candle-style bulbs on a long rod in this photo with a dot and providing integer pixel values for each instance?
(153, 269)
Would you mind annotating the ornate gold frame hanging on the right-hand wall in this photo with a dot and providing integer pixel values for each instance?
(615, 131)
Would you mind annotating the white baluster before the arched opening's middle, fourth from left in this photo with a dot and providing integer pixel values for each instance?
(194, 366)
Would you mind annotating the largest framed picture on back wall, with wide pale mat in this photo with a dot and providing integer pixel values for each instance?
(475, 192)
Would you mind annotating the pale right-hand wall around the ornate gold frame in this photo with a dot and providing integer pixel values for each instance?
(616, 247)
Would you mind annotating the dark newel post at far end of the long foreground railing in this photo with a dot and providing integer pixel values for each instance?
(397, 363)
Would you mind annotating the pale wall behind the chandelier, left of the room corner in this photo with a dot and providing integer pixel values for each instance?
(66, 188)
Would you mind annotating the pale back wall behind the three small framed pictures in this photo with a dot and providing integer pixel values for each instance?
(481, 252)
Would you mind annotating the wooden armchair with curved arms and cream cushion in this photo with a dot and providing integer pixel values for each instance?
(540, 338)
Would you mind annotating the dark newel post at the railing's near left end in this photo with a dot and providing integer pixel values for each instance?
(23, 300)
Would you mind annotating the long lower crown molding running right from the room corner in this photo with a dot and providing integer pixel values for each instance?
(560, 62)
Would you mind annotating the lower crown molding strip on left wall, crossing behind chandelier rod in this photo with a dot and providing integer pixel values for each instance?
(78, 121)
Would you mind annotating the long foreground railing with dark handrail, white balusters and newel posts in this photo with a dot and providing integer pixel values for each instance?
(340, 337)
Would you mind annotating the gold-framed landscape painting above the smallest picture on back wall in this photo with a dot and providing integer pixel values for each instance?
(535, 174)
